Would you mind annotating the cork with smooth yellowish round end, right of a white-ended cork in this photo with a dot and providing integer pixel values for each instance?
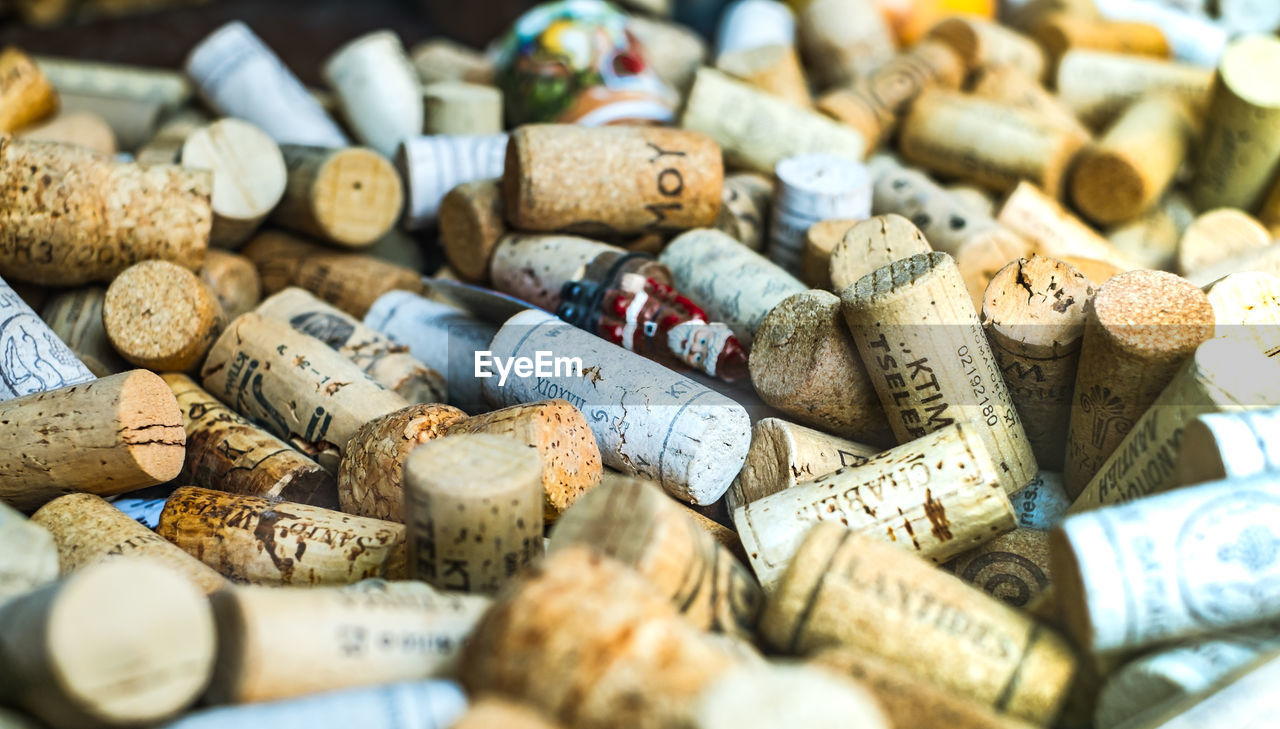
(351, 196)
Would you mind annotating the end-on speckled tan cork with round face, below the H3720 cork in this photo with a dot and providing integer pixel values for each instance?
(162, 317)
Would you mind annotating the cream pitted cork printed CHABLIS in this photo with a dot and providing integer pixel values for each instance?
(939, 497)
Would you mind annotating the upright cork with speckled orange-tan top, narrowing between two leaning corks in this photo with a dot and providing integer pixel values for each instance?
(1140, 331)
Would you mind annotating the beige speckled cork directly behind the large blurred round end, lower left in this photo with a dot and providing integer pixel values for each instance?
(89, 530)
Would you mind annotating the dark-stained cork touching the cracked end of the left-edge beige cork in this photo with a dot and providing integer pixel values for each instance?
(228, 453)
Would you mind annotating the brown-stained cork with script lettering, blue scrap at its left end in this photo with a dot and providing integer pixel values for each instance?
(266, 542)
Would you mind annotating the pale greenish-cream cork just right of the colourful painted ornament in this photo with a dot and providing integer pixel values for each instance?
(757, 130)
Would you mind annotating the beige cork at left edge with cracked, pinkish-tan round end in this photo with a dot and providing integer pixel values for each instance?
(108, 437)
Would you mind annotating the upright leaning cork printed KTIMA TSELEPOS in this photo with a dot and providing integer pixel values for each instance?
(930, 360)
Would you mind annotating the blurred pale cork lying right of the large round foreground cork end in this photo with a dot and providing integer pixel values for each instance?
(339, 638)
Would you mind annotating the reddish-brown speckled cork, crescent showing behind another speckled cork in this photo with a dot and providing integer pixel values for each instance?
(372, 475)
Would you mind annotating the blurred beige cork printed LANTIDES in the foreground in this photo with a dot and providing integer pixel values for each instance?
(849, 590)
